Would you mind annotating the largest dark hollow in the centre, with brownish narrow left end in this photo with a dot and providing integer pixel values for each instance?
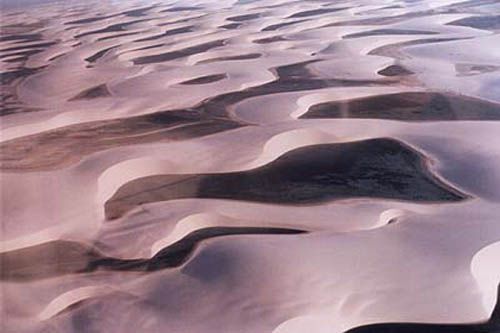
(380, 168)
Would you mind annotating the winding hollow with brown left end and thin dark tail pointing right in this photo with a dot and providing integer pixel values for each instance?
(58, 258)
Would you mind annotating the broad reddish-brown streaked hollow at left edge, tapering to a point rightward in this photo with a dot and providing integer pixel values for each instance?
(67, 145)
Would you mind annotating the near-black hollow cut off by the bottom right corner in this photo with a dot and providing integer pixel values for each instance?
(491, 326)
